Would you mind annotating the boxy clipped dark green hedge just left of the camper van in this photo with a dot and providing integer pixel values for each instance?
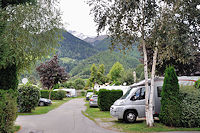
(106, 98)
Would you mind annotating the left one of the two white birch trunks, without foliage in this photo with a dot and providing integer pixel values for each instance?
(146, 82)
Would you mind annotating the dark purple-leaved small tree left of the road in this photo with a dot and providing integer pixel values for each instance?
(51, 74)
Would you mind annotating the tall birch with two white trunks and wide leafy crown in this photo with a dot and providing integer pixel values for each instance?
(130, 20)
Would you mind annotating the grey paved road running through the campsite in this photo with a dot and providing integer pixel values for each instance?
(65, 119)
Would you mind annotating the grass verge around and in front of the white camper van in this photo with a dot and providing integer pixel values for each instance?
(138, 127)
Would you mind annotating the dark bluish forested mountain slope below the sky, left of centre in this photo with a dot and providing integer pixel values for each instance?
(75, 48)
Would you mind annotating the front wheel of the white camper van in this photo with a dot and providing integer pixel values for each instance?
(130, 116)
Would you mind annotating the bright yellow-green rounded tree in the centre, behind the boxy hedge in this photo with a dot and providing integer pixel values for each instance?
(116, 72)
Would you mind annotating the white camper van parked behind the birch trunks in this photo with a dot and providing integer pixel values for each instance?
(132, 104)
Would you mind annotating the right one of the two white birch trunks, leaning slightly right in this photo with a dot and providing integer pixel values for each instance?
(151, 100)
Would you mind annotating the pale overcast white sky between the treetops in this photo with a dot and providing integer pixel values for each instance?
(76, 16)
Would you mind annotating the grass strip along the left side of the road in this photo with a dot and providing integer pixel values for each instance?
(45, 109)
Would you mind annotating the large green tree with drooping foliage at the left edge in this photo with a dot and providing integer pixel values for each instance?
(30, 32)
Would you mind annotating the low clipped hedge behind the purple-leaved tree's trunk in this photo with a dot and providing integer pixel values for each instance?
(55, 95)
